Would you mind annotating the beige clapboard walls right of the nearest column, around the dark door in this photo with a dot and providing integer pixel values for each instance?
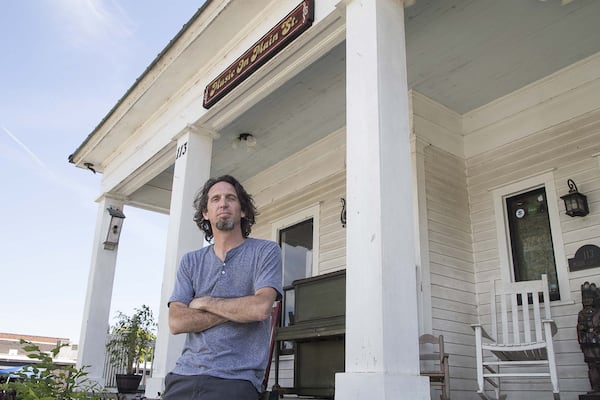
(549, 129)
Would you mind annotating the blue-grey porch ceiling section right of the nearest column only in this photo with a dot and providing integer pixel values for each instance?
(466, 53)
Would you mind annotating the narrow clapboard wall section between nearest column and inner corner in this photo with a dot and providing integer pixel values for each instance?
(451, 264)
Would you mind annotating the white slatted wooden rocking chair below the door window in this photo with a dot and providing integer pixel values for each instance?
(521, 336)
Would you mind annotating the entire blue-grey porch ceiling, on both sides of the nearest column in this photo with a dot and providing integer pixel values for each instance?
(460, 53)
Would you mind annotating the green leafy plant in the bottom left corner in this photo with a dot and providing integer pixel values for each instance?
(46, 380)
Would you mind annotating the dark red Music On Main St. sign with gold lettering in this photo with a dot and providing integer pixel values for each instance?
(275, 40)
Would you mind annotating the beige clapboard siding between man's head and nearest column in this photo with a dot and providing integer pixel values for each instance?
(315, 175)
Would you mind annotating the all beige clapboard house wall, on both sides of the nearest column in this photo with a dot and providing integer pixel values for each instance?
(461, 165)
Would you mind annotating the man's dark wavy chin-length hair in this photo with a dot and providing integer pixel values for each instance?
(246, 202)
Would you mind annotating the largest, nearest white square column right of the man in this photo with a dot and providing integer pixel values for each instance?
(382, 356)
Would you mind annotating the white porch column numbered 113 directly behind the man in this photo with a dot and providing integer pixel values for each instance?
(192, 169)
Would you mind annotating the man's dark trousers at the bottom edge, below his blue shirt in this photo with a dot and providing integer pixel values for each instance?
(204, 387)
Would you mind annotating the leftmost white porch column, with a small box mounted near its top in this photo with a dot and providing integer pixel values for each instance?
(94, 327)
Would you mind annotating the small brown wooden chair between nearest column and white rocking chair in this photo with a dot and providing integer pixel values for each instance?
(434, 362)
